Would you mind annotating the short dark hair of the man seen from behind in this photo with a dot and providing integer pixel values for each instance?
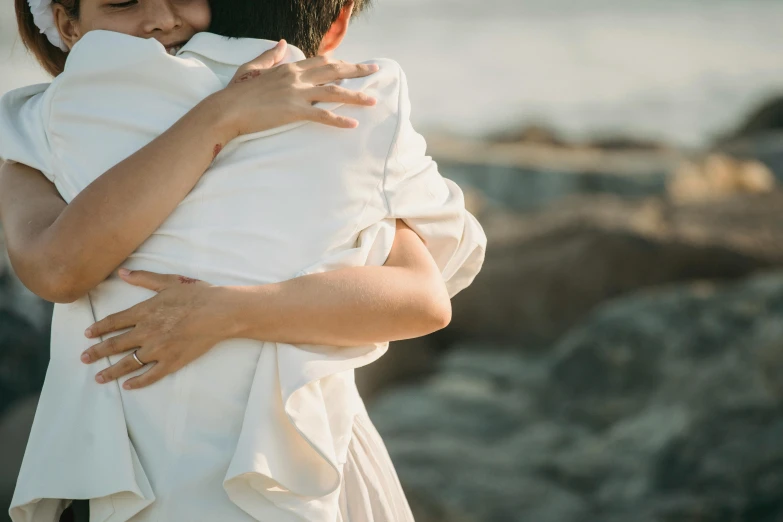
(302, 23)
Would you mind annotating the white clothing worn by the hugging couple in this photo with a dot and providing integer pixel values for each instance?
(252, 430)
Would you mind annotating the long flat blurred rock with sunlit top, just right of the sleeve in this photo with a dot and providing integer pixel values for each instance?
(529, 176)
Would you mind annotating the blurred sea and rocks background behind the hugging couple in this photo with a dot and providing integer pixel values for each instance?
(620, 357)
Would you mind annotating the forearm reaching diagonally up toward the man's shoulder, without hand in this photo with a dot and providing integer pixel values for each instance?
(108, 220)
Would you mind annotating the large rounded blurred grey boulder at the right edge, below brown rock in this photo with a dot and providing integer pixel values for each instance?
(697, 345)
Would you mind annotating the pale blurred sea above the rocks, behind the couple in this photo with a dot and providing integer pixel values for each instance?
(672, 70)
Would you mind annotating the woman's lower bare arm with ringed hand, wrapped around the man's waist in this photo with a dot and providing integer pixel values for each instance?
(349, 307)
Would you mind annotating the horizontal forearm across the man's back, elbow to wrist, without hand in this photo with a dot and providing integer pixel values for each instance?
(347, 307)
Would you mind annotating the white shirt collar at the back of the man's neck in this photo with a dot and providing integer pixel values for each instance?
(234, 51)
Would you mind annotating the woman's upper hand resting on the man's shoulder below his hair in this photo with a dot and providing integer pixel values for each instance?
(265, 94)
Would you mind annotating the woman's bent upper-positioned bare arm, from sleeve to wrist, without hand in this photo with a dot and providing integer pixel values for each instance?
(62, 251)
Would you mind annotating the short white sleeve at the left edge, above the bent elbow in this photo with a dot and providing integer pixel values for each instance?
(23, 128)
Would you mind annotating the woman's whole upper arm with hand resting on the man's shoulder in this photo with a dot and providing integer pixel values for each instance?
(60, 251)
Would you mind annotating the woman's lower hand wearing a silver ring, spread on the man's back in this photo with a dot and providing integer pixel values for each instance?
(170, 330)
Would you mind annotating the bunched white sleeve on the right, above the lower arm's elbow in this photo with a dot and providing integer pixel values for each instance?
(434, 207)
